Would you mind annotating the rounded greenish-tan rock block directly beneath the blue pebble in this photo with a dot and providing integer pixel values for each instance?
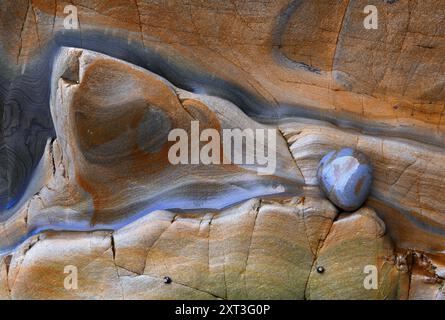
(354, 242)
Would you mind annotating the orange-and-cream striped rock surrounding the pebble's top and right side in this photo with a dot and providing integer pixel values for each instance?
(408, 178)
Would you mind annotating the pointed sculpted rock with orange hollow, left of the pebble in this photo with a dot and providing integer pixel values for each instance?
(102, 172)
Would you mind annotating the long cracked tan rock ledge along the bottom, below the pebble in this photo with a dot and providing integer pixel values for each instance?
(233, 254)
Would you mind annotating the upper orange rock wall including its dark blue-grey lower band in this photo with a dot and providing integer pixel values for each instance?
(272, 59)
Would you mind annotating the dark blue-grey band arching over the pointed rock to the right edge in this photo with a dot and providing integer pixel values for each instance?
(27, 121)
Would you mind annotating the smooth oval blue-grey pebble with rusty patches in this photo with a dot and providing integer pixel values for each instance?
(345, 177)
